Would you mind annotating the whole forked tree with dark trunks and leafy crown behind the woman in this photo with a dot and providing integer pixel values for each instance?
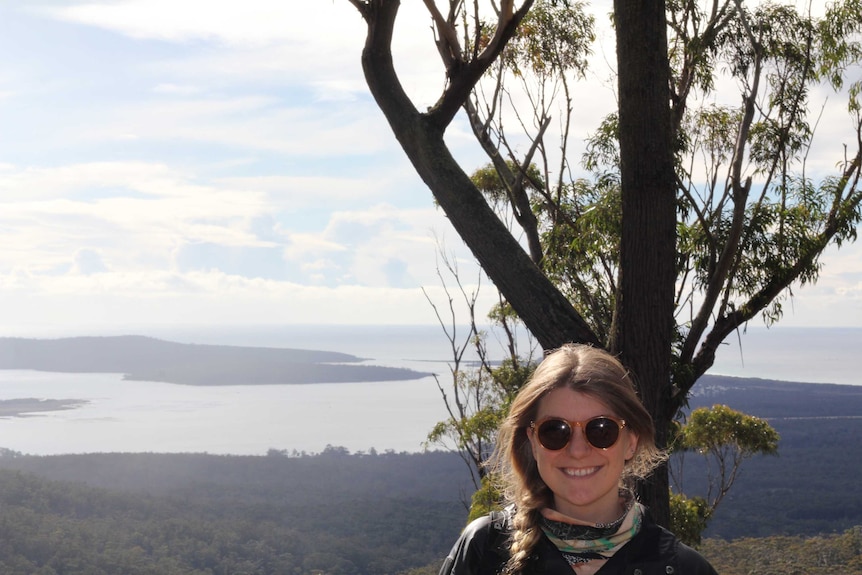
(737, 219)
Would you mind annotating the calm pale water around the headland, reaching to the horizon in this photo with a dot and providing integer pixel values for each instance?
(157, 417)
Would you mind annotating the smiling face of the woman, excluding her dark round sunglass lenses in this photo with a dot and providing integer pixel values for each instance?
(584, 479)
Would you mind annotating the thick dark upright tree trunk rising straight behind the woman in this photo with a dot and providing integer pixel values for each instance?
(644, 327)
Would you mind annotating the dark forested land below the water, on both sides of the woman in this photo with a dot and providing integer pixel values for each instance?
(382, 513)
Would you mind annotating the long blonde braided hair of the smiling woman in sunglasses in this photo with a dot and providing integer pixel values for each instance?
(587, 370)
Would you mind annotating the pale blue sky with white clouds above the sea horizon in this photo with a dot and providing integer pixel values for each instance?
(201, 163)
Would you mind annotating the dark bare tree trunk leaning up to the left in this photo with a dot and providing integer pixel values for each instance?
(545, 311)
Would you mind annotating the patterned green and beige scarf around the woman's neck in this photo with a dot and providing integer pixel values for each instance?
(581, 542)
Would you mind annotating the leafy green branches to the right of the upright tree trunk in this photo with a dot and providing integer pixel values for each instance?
(778, 220)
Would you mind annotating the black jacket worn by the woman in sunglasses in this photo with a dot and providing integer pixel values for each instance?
(482, 550)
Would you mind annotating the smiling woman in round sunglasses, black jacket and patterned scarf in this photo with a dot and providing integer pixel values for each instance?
(575, 439)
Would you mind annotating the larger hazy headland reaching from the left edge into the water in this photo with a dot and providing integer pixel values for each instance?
(142, 358)
